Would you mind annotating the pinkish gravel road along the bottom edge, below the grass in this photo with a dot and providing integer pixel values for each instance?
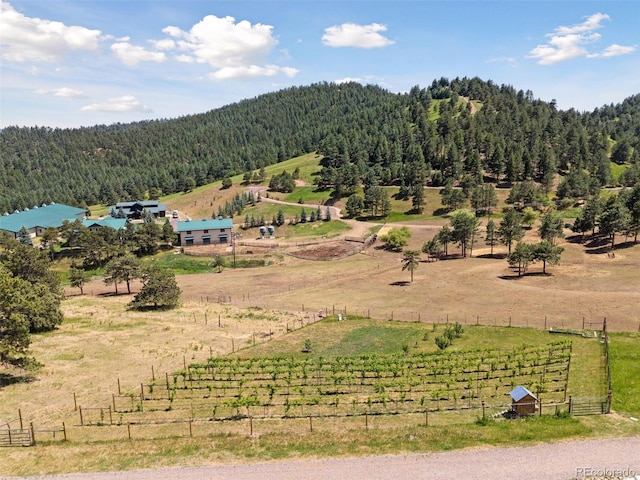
(602, 458)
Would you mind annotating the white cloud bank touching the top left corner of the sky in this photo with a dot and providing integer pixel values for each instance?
(34, 39)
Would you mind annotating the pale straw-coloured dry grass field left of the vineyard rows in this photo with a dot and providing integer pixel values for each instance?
(101, 342)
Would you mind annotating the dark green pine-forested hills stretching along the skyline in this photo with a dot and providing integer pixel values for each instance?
(465, 131)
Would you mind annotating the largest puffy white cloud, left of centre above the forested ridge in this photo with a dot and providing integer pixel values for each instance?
(235, 50)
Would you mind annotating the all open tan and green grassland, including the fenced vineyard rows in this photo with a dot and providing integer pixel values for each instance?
(123, 367)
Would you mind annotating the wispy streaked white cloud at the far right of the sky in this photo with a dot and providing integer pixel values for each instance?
(569, 42)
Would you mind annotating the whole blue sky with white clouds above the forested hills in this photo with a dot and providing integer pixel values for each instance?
(82, 63)
